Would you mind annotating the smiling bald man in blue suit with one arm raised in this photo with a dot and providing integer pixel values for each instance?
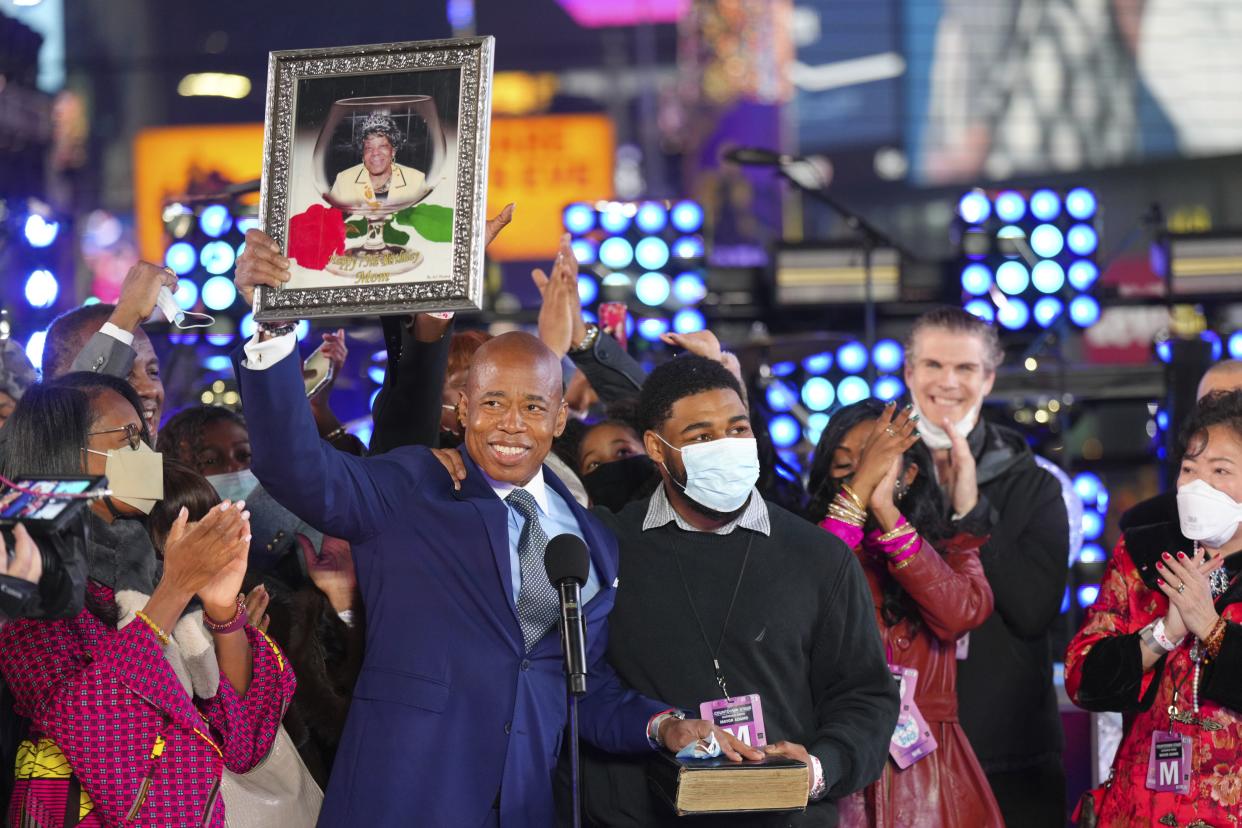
(460, 708)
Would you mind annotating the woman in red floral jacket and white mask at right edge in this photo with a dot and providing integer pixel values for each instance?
(1169, 656)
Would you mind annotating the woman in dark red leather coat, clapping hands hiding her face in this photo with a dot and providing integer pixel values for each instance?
(927, 599)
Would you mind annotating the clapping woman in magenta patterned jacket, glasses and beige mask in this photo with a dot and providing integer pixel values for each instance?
(116, 737)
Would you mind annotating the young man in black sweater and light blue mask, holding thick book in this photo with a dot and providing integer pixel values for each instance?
(720, 589)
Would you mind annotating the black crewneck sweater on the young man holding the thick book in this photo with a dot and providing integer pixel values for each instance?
(803, 636)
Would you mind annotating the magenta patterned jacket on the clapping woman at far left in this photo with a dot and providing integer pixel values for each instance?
(111, 702)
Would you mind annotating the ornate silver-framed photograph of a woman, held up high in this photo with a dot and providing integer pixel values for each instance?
(376, 178)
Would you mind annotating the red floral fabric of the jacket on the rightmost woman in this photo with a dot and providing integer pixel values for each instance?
(1125, 606)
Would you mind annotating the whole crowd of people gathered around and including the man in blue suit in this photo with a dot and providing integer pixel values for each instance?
(285, 626)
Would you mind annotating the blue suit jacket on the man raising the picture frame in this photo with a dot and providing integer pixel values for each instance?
(449, 712)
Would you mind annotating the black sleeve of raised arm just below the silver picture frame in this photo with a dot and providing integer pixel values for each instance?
(408, 409)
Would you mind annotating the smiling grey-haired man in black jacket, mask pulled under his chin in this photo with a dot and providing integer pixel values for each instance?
(993, 487)
